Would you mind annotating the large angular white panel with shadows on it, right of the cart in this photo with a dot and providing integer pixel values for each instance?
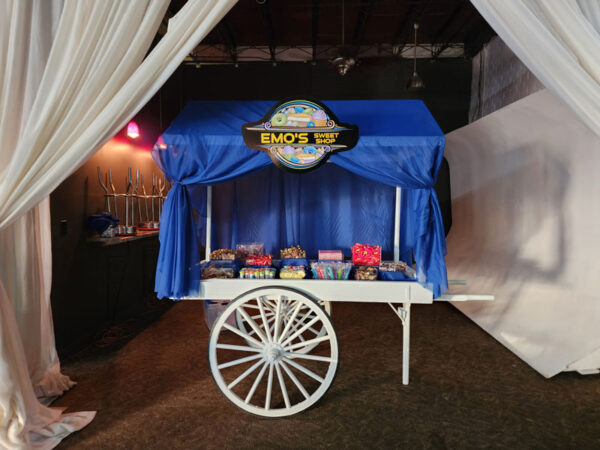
(525, 228)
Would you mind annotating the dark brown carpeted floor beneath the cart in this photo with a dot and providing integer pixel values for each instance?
(466, 391)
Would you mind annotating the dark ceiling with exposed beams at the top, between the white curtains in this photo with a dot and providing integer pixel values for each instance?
(311, 23)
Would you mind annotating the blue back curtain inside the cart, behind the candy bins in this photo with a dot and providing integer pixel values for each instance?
(327, 209)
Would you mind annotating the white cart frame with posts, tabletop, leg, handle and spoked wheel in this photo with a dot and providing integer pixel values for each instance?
(286, 324)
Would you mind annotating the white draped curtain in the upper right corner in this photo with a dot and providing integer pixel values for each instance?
(559, 41)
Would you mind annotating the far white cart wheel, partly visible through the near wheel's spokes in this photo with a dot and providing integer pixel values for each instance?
(300, 319)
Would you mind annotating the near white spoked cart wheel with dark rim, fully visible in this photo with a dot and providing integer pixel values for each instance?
(271, 377)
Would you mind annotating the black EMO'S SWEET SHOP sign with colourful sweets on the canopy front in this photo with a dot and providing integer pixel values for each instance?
(299, 135)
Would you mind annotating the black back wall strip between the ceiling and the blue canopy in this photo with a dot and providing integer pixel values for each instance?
(447, 81)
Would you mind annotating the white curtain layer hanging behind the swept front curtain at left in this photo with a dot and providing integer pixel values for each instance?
(28, 277)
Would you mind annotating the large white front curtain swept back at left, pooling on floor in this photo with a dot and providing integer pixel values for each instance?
(91, 85)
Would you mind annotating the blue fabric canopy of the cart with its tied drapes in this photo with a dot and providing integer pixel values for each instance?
(400, 144)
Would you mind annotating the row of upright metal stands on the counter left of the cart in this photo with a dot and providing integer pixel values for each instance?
(148, 222)
